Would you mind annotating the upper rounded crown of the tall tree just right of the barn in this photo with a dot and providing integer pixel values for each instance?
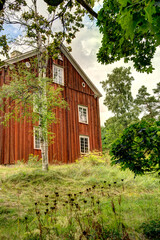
(118, 97)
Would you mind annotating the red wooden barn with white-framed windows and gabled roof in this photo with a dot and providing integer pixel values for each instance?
(78, 129)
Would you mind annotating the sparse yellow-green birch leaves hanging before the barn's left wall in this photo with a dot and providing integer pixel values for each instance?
(24, 93)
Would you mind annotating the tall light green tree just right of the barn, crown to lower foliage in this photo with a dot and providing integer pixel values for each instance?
(120, 101)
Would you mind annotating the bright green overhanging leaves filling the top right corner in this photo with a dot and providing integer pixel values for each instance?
(130, 30)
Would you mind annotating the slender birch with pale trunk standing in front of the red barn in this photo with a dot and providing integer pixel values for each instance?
(40, 32)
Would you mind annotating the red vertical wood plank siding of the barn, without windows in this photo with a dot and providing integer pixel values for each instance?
(16, 140)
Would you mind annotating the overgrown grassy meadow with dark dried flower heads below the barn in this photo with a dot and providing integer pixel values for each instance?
(86, 200)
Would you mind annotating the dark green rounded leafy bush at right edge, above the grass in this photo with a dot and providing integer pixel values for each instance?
(138, 147)
